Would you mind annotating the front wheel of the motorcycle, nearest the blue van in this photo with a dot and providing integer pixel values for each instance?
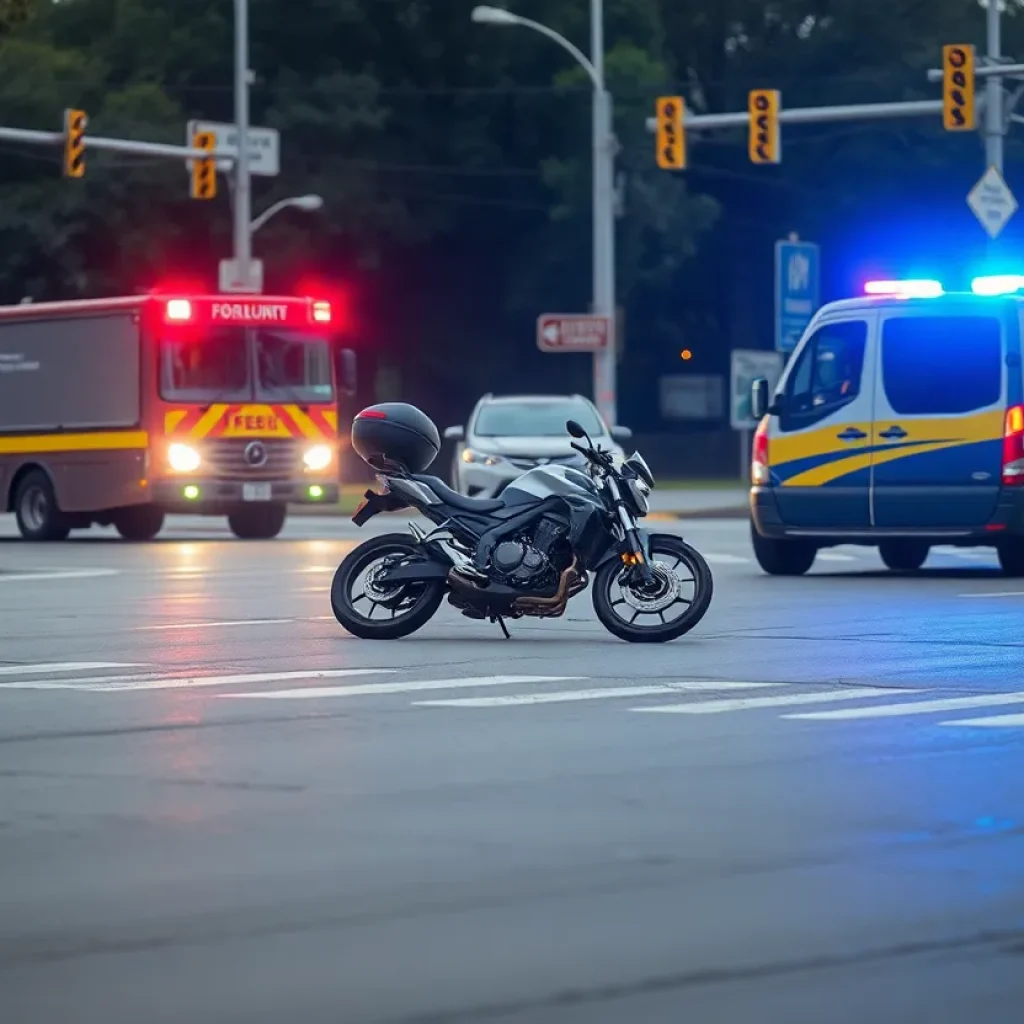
(676, 601)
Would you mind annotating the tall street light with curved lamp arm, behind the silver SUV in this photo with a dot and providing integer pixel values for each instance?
(605, 149)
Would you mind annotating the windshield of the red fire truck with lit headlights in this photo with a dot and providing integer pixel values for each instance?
(244, 365)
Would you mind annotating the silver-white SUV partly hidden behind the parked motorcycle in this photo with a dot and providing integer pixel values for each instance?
(506, 437)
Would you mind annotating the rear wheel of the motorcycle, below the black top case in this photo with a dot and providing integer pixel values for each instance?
(375, 611)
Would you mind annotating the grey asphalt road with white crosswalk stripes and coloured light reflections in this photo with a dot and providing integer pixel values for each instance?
(216, 806)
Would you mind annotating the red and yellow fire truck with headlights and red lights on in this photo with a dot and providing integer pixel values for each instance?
(119, 412)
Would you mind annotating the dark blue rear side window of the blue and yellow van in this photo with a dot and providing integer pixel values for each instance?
(942, 366)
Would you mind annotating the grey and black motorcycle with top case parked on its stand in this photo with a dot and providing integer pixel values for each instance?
(552, 533)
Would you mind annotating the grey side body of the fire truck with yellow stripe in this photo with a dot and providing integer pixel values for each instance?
(73, 404)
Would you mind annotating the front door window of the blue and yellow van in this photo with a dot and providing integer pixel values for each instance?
(827, 375)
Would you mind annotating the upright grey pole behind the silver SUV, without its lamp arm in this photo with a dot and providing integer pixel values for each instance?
(605, 223)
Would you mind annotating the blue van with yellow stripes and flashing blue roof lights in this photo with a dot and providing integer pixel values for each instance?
(899, 423)
